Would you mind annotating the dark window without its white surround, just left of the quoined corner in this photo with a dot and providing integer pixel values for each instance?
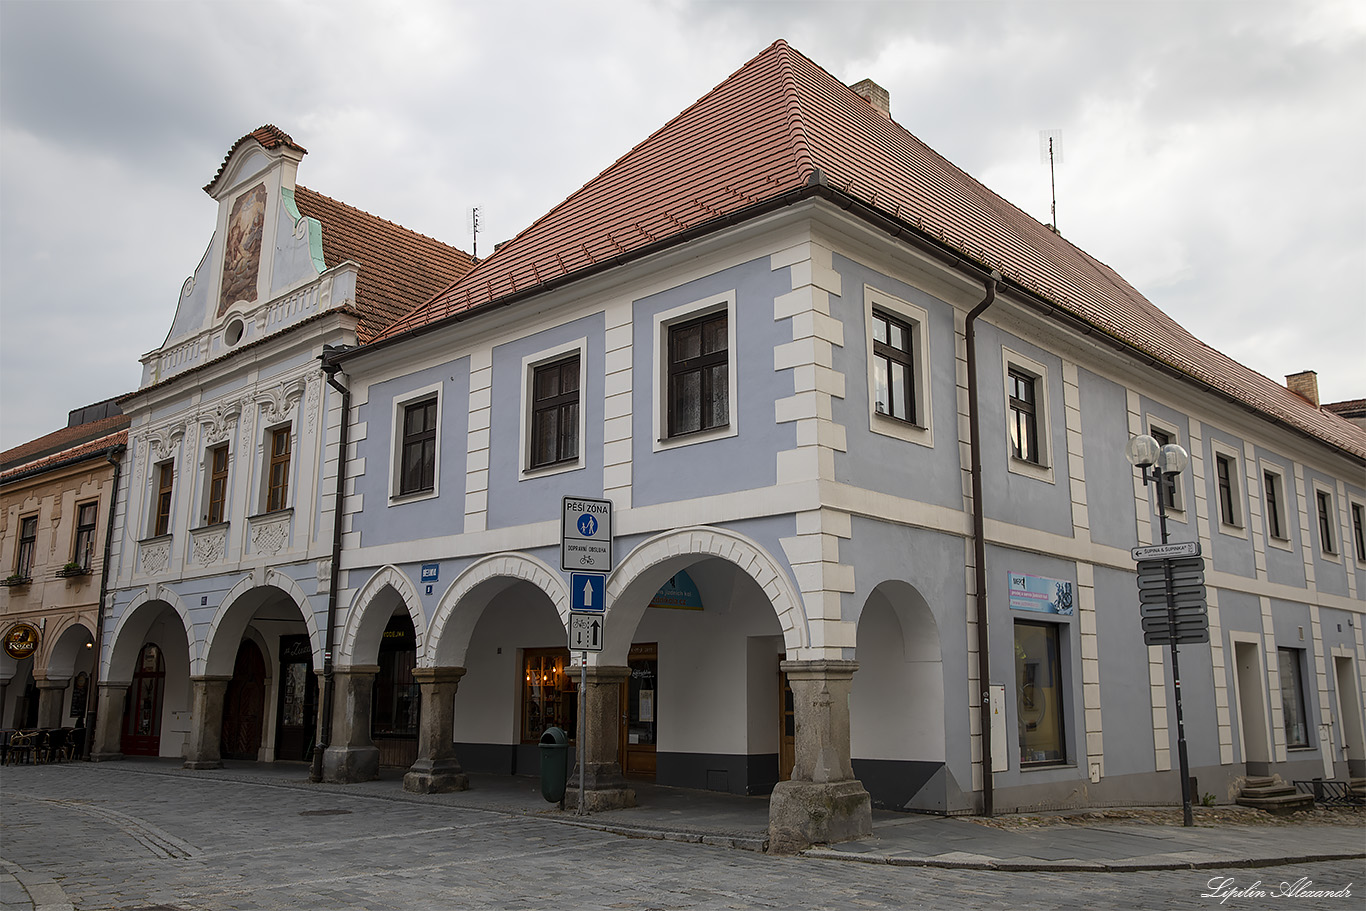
(699, 375)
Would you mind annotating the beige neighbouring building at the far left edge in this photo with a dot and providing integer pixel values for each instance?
(55, 501)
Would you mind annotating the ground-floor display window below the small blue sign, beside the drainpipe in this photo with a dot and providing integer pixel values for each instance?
(1039, 689)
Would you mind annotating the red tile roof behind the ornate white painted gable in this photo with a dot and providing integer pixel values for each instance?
(400, 268)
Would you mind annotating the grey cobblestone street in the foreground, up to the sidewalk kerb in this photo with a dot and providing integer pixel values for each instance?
(106, 838)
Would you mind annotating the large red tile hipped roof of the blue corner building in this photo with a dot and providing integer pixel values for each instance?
(781, 124)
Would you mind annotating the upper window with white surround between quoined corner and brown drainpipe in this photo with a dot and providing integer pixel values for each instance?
(898, 376)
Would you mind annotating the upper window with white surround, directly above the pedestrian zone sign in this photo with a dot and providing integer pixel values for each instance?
(553, 409)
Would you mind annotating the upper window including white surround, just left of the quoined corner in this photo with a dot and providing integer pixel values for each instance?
(695, 380)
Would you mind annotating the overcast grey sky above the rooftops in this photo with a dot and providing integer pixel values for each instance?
(1214, 154)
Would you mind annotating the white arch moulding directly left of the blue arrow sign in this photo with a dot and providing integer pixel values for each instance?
(461, 607)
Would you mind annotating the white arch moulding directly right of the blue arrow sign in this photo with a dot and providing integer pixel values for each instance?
(637, 578)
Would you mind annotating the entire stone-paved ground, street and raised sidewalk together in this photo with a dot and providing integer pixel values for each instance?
(151, 835)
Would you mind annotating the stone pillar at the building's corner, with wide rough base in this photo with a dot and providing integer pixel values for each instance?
(824, 802)
